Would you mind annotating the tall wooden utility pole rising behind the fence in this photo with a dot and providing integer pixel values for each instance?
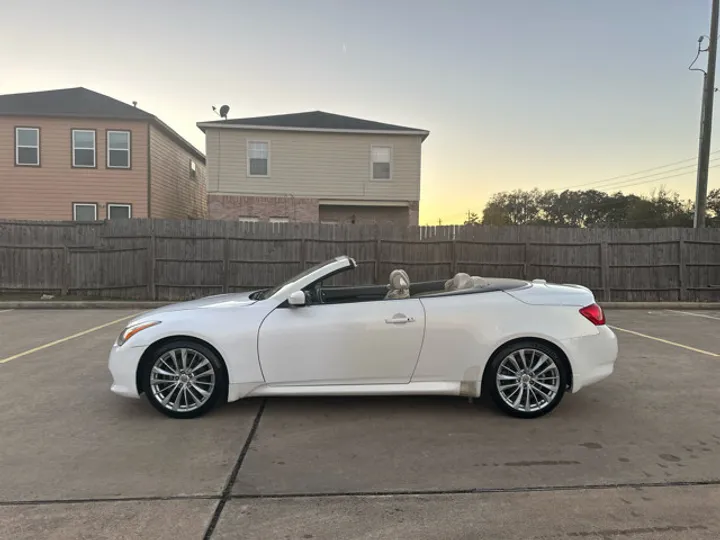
(706, 120)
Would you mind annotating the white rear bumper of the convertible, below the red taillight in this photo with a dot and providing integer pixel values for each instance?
(592, 358)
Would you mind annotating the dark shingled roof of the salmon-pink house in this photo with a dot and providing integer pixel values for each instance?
(80, 102)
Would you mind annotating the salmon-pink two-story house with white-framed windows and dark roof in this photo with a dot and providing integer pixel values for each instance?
(75, 154)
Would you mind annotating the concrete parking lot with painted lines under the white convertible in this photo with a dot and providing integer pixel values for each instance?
(634, 457)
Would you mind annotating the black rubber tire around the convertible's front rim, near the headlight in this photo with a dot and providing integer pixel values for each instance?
(219, 389)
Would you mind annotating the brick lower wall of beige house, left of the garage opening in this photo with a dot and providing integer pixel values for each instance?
(234, 207)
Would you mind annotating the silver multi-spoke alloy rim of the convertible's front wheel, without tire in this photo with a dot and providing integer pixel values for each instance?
(182, 380)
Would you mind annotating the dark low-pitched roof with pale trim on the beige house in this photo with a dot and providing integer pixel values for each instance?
(314, 121)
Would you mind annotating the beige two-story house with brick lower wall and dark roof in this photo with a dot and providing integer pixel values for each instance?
(313, 166)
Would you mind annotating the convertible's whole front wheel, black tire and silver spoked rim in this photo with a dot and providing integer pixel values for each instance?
(184, 379)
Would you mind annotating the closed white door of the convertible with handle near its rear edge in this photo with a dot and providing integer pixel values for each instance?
(373, 342)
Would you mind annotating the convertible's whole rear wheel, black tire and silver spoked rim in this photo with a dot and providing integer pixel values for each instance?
(526, 379)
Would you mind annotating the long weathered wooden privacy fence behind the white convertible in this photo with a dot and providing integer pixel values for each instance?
(176, 260)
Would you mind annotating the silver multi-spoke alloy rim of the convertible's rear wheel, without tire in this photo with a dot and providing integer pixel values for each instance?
(528, 380)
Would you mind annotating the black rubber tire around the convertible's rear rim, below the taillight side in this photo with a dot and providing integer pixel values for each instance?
(543, 406)
